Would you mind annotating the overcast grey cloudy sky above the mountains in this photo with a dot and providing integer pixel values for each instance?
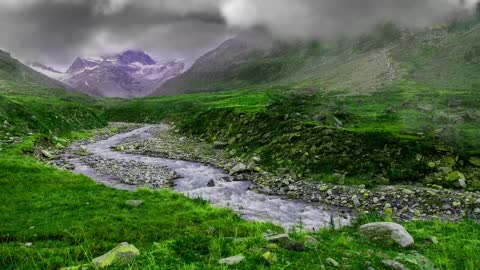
(54, 32)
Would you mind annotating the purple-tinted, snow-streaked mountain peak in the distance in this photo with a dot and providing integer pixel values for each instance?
(129, 74)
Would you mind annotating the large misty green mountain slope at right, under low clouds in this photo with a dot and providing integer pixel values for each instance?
(444, 56)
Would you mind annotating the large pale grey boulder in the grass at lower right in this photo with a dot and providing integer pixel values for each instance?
(387, 233)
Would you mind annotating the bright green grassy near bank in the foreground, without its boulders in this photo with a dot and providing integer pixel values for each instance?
(69, 219)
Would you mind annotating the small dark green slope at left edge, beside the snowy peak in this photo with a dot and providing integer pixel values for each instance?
(14, 72)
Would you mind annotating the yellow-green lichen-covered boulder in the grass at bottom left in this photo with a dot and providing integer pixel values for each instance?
(123, 253)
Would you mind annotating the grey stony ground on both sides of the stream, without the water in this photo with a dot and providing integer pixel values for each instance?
(399, 202)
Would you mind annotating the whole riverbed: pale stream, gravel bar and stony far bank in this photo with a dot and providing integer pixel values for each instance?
(157, 156)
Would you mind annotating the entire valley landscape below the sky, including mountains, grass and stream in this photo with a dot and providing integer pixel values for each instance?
(264, 154)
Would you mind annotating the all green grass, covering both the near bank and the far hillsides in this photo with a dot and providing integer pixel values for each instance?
(285, 109)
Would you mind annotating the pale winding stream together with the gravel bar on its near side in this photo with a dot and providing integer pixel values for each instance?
(104, 160)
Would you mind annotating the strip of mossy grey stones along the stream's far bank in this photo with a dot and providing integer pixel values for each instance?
(401, 202)
